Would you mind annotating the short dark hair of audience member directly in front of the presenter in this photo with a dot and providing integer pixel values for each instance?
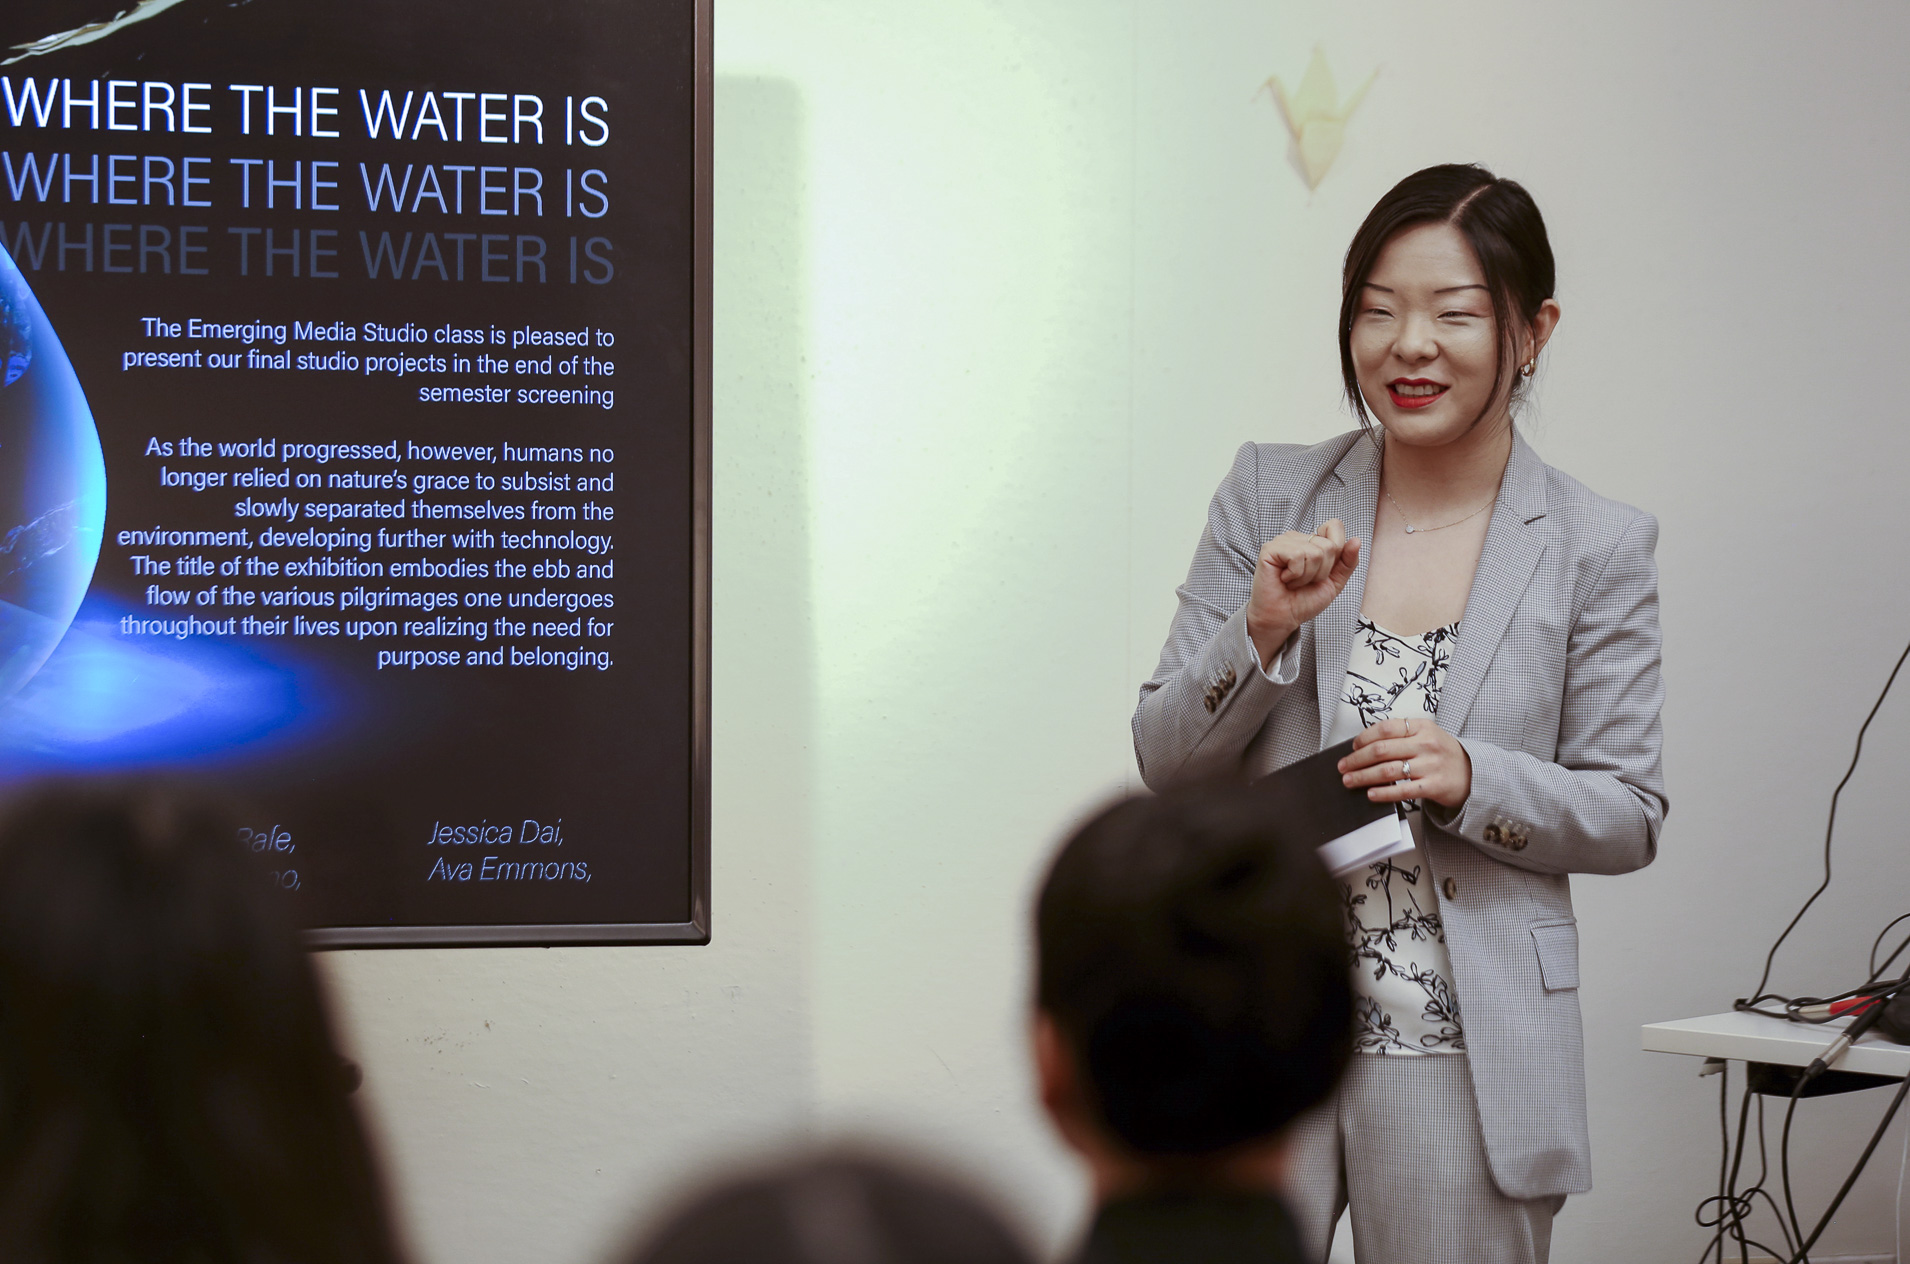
(1197, 965)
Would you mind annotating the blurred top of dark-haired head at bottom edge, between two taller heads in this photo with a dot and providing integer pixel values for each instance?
(841, 1210)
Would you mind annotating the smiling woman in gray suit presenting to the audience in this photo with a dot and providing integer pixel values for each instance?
(1485, 629)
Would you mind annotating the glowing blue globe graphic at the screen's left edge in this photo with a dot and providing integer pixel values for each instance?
(53, 486)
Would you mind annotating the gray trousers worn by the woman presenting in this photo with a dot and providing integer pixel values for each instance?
(1401, 1145)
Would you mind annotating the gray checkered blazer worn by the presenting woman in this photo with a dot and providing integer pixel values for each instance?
(1554, 690)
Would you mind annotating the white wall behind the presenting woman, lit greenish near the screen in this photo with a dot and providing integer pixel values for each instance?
(1000, 289)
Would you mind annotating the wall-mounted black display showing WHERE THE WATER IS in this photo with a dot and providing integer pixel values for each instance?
(354, 446)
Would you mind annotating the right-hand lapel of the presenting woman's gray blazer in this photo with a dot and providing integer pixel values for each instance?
(1512, 555)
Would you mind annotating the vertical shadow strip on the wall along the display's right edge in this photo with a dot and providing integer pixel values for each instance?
(763, 608)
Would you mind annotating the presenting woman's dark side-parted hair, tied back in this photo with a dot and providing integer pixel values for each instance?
(1506, 230)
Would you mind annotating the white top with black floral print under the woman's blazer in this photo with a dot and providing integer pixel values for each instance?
(1401, 967)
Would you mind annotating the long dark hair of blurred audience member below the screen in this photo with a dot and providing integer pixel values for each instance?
(169, 1084)
